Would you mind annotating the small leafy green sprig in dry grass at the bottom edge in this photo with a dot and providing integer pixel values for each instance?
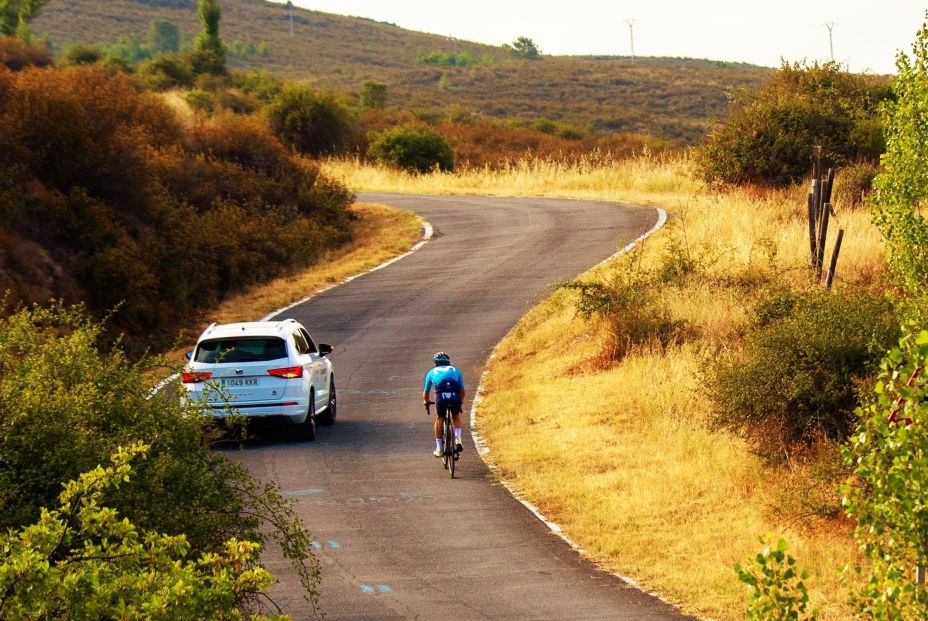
(778, 589)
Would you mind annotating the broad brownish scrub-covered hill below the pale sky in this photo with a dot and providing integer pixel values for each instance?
(670, 98)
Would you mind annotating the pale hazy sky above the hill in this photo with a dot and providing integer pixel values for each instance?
(866, 35)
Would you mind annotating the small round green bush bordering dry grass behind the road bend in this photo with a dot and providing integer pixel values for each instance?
(414, 148)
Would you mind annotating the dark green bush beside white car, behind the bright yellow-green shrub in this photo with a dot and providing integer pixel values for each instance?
(65, 407)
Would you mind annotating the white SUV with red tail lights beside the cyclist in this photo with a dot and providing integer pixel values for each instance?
(267, 369)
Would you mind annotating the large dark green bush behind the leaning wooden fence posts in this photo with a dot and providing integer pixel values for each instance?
(768, 136)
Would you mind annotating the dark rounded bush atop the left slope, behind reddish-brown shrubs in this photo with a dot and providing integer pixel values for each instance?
(308, 122)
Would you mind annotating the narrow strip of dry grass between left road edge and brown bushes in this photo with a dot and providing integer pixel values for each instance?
(379, 233)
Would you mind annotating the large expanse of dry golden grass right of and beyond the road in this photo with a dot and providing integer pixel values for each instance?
(621, 455)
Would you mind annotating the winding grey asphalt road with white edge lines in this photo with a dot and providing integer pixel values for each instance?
(397, 538)
